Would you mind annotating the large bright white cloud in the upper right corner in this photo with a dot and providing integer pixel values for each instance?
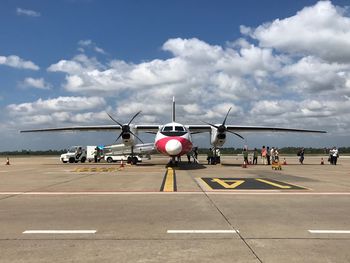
(321, 30)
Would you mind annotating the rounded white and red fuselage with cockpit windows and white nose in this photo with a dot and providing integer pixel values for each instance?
(173, 139)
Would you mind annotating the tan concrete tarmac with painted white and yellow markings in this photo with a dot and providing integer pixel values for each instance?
(54, 212)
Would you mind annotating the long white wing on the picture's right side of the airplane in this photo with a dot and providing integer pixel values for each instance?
(236, 128)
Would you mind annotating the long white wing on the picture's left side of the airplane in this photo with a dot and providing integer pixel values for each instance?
(142, 128)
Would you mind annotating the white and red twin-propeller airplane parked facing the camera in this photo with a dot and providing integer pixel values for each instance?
(173, 139)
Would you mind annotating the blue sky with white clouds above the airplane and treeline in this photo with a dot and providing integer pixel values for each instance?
(276, 63)
